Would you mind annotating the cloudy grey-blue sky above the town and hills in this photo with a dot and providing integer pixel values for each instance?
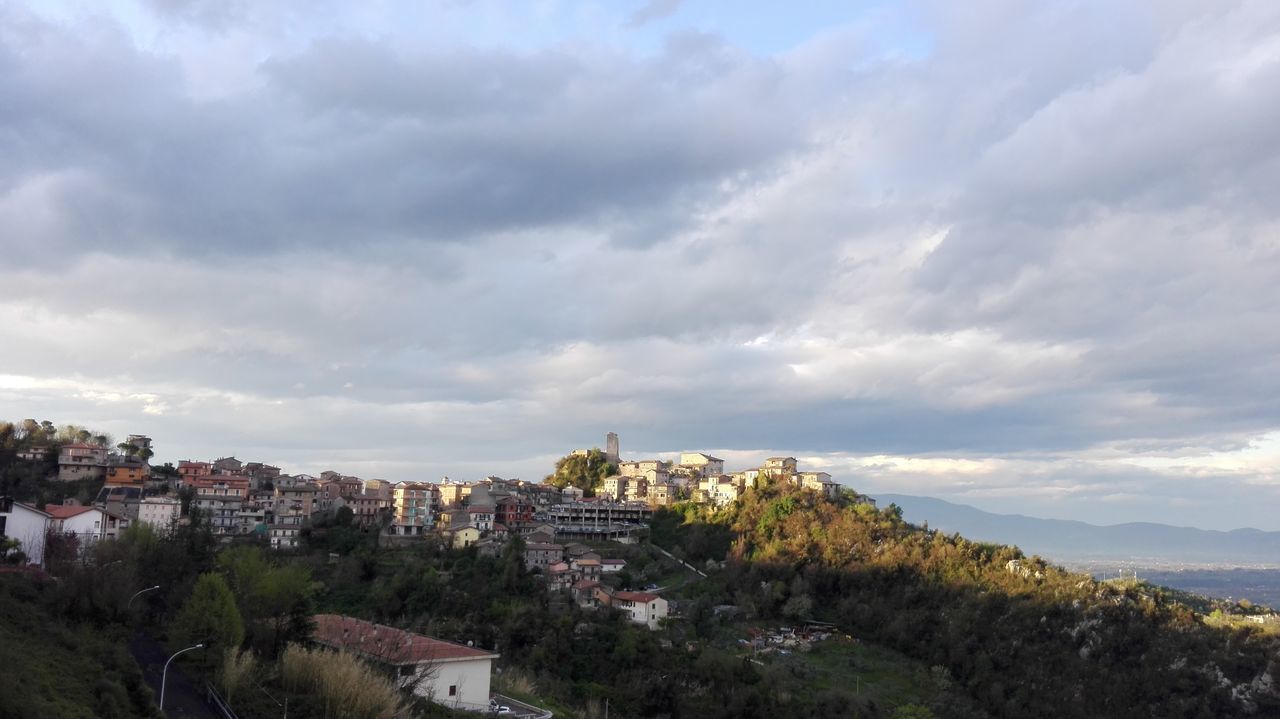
(1018, 255)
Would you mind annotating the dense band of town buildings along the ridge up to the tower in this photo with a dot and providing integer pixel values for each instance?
(255, 500)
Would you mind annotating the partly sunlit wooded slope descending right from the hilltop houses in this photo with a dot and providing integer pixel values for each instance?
(1021, 636)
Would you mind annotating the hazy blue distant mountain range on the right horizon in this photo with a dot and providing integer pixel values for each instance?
(1068, 542)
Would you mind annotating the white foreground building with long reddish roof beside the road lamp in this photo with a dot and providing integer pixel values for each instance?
(444, 672)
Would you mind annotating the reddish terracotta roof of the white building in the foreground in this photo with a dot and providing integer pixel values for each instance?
(388, 644)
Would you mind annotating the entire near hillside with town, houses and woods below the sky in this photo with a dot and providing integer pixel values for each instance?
(648, 587)
